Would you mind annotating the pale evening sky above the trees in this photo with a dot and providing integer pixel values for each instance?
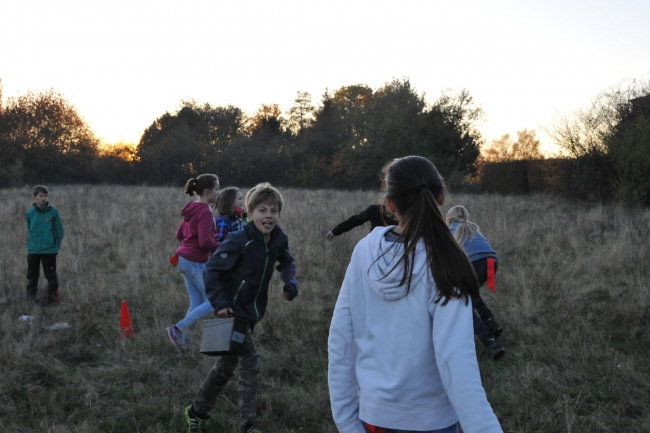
(122, 63)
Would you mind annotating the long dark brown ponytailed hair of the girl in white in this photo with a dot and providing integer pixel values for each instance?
(414, 186)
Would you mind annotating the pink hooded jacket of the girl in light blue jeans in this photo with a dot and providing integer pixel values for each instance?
(196, 233)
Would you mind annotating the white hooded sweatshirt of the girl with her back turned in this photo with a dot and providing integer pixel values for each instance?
(399, 360)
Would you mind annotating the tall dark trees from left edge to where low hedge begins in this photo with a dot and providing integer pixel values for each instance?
(341, 142)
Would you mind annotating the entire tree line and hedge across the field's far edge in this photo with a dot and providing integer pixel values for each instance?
(340, 142)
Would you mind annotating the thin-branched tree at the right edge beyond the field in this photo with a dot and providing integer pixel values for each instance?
(609, 140)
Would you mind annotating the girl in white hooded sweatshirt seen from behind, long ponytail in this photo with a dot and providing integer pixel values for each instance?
(401, 342)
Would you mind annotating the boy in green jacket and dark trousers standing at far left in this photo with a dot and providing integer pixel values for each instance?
(44, 236)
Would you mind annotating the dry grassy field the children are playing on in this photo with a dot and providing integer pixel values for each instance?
(573, 297)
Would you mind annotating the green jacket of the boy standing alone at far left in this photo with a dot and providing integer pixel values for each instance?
(44, 229)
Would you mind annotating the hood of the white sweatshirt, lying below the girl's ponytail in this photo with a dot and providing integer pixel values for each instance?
(380, 256)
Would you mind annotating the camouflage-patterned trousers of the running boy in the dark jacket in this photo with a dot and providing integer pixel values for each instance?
(223, 370)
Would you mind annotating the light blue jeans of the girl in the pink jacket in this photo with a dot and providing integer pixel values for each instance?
(200, 307)
